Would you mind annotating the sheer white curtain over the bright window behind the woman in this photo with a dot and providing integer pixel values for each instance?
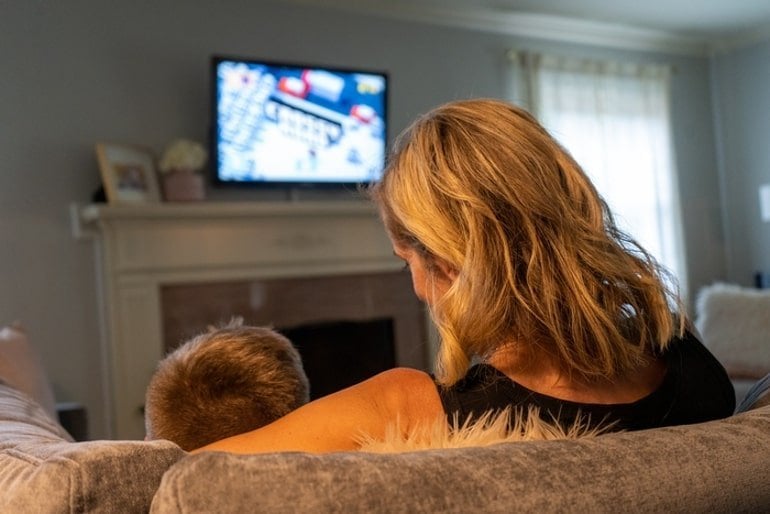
(614, 119)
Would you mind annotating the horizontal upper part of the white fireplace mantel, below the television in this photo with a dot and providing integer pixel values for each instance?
(231, 239)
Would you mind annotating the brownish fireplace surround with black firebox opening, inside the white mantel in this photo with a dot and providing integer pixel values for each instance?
(346, 327)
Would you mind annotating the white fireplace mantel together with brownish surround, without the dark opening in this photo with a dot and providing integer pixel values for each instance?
(152, 257)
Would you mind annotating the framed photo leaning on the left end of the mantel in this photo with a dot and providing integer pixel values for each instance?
(128, 173)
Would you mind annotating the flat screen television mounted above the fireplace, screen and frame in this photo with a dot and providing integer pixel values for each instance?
(277, 124)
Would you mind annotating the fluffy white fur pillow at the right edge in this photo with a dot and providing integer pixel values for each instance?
(734, 323)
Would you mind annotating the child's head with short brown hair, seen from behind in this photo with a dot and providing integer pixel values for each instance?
(224, 382)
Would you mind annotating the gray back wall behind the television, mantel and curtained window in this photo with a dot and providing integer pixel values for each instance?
(81, 71)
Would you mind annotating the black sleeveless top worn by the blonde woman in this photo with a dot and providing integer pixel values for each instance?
(694, 389)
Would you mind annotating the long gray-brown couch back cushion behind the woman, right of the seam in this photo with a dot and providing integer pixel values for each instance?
(712, 467)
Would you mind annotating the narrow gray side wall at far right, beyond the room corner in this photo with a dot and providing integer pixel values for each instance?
(741, 82)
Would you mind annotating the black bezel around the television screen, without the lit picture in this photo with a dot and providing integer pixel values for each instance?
(287, 185)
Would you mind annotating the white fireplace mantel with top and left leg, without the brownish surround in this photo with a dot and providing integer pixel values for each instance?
(141, 248)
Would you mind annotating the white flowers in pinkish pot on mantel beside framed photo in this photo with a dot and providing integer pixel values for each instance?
(180, 167)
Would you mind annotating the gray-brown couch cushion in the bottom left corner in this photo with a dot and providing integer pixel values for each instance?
(41, 470)
